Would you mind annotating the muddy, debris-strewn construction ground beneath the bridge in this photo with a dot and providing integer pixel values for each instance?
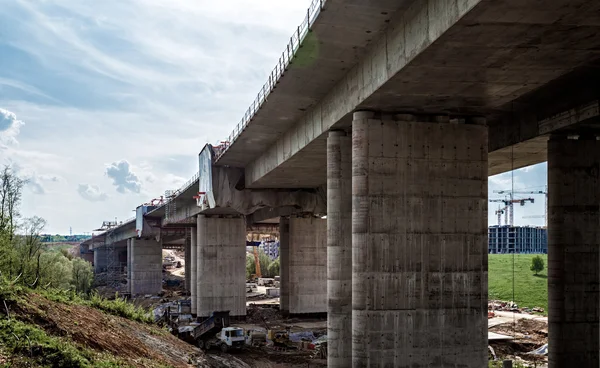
(512, 335)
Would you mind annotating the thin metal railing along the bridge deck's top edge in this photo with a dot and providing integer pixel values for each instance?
(284, 61)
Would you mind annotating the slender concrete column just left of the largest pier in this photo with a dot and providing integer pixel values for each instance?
(339, 250)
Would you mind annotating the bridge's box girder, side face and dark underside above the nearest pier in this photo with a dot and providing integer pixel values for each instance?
(498, 61)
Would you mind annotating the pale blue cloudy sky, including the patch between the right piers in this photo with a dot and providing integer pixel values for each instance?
(104, 105)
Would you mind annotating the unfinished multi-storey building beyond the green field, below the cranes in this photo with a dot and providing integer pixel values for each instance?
(517, 239)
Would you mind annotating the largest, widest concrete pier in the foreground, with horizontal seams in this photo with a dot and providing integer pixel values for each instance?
(419, 243)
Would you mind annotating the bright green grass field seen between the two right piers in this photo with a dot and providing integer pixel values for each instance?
(529, 290)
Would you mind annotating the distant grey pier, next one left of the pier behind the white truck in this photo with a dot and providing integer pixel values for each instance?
(146, 266)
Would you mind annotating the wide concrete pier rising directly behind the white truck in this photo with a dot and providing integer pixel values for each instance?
(221, 272)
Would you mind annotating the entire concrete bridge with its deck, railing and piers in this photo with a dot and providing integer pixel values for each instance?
(388, 116)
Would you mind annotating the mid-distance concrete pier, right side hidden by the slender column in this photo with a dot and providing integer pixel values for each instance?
(303, 252)
